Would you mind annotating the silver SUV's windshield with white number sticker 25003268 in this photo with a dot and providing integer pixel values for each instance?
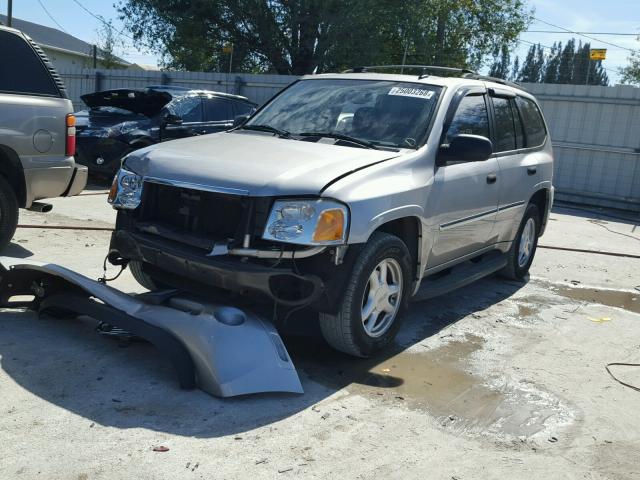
(387, 113)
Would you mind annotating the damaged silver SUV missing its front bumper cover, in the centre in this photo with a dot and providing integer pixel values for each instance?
(348, 195)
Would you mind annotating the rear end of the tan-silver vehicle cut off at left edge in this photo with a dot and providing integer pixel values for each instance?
(37, 132)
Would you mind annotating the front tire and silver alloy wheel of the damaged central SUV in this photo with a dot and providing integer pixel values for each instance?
(347, 331)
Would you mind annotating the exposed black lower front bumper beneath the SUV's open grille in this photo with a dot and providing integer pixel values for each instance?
(232, 274)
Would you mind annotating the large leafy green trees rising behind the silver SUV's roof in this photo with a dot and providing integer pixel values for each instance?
(303, 36)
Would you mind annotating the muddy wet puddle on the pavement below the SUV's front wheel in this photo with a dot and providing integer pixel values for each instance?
(435, 381)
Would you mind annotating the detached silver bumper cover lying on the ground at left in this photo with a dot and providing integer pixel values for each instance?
(230, 352)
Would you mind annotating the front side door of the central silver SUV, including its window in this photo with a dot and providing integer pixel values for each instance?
(464, 199)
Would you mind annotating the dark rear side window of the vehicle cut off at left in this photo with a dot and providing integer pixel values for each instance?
(21, 70)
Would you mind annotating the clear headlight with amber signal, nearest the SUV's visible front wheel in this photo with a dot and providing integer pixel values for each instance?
(307, 222)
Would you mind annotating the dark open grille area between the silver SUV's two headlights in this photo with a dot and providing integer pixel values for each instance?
(198, 218)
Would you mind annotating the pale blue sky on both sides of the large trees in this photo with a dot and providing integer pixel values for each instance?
(618, 16)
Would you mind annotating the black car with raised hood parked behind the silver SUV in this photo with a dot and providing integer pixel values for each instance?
(122, 120)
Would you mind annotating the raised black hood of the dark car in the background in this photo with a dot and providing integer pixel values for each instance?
(145, 102)
